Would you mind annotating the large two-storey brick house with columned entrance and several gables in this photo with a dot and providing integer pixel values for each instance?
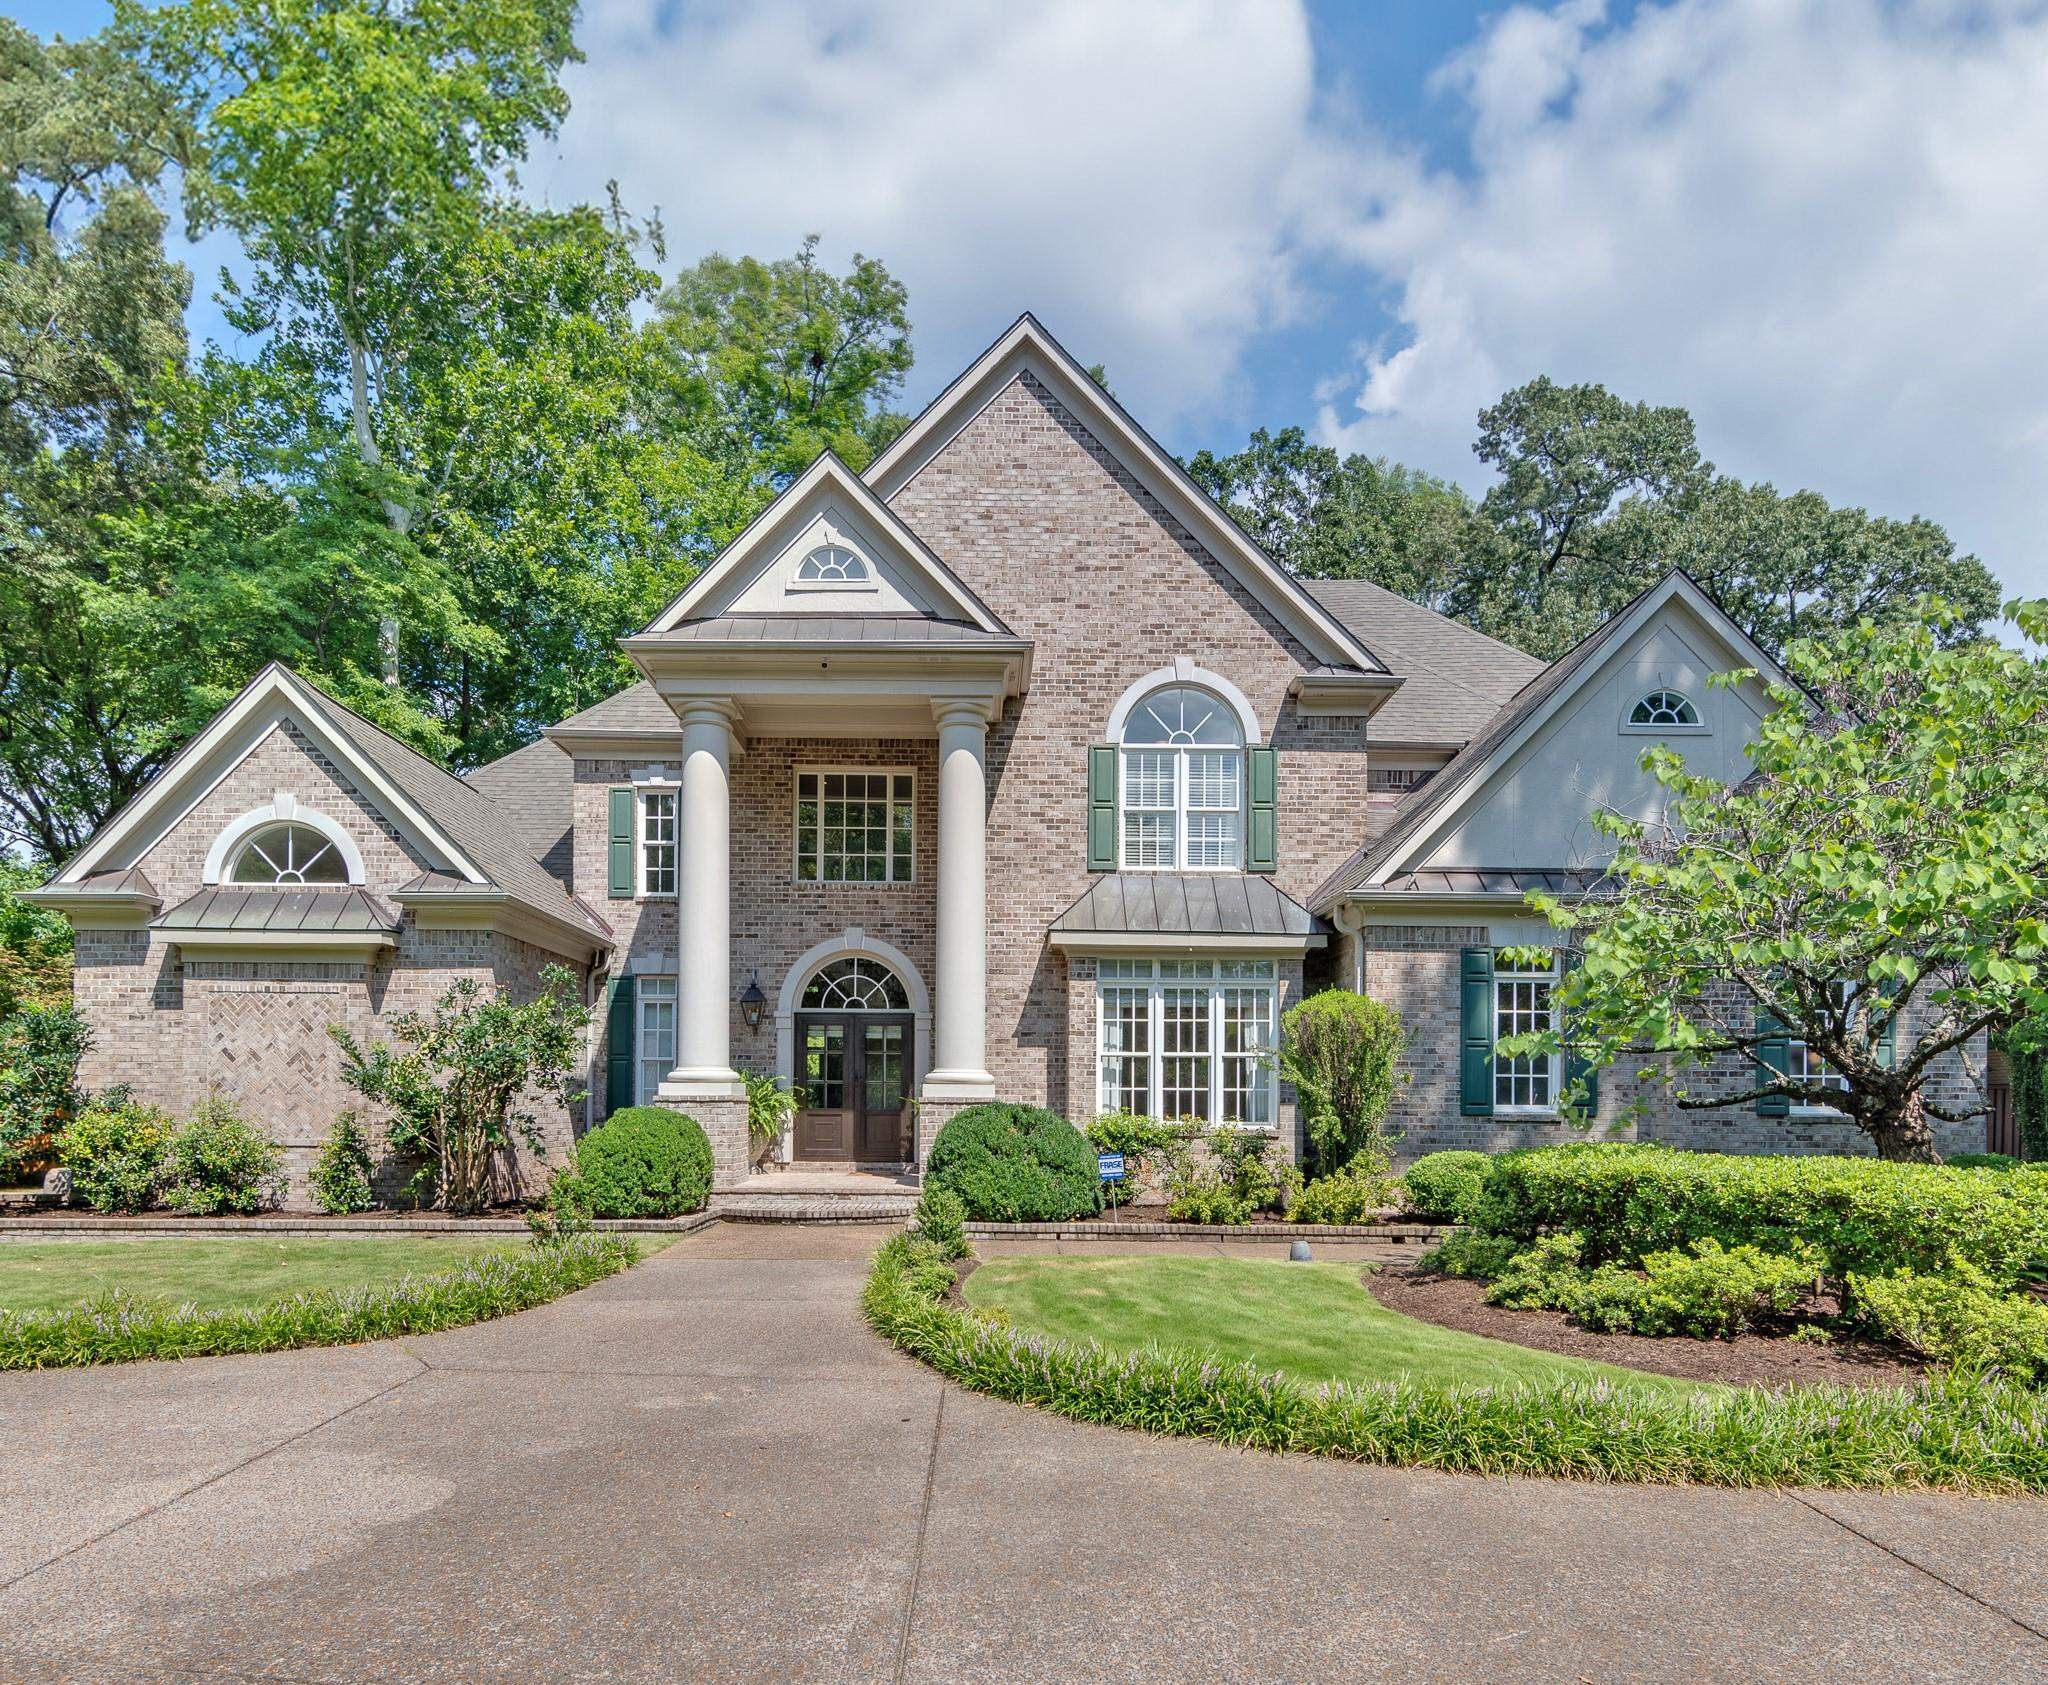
(1007, 769)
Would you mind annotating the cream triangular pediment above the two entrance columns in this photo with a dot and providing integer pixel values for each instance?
(828, 507)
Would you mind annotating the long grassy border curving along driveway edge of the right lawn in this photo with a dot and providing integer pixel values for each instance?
(1951, 1434)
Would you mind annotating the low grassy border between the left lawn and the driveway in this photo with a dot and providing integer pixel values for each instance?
(122, 1330)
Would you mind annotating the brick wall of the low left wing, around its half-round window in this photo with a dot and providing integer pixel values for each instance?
(171, 1027)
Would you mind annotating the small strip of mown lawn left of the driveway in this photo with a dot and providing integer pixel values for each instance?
(222, 1270)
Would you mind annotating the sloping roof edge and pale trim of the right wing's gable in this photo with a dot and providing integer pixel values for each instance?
(1465, 773)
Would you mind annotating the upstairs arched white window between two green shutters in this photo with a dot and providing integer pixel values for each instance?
(1183, 783)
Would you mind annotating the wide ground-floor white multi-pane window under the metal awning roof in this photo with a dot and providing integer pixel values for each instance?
(1187, 1039)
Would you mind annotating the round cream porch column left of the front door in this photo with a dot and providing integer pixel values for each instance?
(703, 908)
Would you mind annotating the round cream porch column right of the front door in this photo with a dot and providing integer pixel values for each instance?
(962, 1006)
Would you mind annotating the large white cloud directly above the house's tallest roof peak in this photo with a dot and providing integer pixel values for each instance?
(1127, 171)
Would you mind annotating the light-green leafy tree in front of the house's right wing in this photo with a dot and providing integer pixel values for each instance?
(1875, 890)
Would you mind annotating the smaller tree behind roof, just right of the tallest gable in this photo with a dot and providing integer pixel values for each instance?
(1330, 517)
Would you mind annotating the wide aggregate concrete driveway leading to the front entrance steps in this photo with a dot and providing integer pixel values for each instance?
(710, 1469)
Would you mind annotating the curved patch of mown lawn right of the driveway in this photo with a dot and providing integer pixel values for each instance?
(1308, 1320)
